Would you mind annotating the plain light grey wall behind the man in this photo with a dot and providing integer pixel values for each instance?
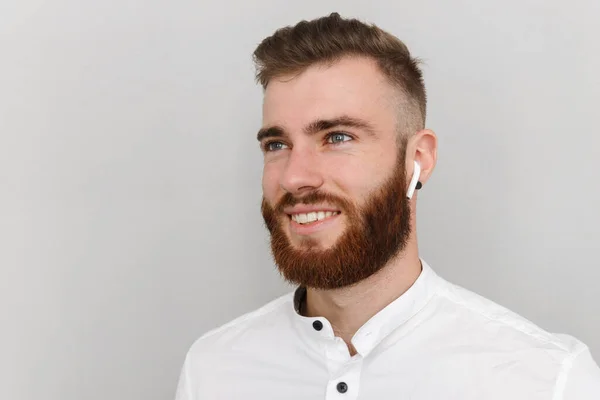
(130, 175)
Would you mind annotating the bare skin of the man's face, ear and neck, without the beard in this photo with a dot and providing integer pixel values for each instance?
(351, 164)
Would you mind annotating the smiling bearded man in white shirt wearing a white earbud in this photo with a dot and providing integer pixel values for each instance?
(345, 148)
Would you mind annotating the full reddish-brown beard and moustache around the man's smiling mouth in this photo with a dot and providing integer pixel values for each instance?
(375, 233)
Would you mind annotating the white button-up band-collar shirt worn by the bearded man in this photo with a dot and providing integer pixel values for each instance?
(437, 341)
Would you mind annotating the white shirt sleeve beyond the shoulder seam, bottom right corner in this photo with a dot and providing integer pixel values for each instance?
(581, 378)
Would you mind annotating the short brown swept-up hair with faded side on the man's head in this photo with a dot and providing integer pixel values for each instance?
(325, 40)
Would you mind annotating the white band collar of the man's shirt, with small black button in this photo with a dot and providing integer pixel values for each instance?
(381, 324)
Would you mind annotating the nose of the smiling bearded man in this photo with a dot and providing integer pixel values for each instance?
(302, 173)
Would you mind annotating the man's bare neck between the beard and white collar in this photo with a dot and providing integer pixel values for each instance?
(349, 308)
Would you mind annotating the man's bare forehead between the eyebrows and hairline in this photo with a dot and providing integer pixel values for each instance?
(351, 86)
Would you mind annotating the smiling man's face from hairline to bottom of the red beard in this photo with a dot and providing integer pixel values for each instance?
(334, 179)
